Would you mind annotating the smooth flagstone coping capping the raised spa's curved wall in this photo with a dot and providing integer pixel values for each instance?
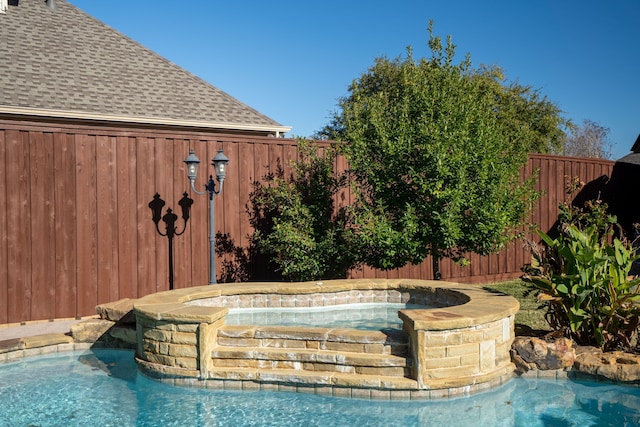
(474, 304)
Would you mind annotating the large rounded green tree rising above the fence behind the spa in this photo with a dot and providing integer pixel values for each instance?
(437, 169)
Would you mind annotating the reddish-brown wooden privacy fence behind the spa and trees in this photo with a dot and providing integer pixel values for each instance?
(76, 229)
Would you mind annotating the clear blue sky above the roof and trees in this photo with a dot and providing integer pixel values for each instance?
(292, 60)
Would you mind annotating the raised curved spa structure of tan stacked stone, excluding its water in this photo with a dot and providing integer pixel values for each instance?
(460, 346)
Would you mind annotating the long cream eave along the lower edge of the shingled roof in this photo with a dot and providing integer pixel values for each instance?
(277, 130)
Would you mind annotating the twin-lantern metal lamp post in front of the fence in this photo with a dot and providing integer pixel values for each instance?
(219, 162)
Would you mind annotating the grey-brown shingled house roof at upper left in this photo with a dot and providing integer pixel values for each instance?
(64, 63)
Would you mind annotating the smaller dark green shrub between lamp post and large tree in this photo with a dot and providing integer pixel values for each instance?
(297, 225)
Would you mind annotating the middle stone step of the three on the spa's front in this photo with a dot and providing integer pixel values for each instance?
(312, 360)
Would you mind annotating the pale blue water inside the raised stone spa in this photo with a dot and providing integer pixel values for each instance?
(367, 316)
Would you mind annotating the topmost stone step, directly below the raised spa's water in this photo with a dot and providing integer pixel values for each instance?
(344, 340)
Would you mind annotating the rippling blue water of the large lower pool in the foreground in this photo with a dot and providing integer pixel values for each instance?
(103, 388)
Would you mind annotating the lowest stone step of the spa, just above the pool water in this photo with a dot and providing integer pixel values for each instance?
(312, 378)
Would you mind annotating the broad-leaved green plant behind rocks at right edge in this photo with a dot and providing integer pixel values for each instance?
(583, 276)
